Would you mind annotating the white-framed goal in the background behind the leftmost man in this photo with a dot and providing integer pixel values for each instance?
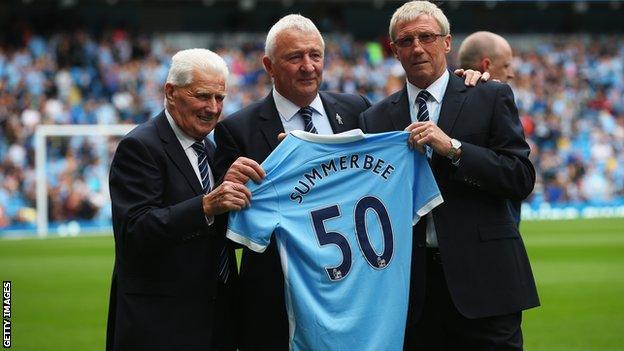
(71, 172)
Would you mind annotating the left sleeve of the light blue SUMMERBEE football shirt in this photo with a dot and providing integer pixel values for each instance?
(254, 225)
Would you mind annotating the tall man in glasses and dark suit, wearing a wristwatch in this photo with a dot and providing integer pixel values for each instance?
(471, 277)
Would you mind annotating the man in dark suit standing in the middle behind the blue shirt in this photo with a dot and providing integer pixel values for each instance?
(294, 59)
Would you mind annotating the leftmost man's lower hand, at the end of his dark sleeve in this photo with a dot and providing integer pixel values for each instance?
(226, 197)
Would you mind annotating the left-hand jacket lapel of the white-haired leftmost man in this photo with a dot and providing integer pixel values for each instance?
(176, 154)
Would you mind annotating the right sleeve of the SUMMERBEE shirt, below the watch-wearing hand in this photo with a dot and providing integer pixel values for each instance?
(426, 195)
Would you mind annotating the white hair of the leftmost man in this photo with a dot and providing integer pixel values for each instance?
(184, 62)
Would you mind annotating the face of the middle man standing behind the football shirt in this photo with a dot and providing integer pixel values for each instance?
(296, 66)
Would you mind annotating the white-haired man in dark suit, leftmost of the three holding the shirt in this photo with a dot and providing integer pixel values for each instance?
(174, 275)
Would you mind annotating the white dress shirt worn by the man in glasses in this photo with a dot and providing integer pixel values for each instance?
(434, 105)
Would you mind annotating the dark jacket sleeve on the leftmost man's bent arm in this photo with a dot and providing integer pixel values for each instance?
(143, 214)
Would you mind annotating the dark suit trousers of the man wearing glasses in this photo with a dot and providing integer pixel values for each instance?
(442, 327)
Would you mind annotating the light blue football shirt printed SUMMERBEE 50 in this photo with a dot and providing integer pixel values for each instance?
(342, 208)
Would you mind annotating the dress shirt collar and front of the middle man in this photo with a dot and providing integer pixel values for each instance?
(291, 120)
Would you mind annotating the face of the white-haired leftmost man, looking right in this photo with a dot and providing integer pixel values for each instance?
(196, 107)
